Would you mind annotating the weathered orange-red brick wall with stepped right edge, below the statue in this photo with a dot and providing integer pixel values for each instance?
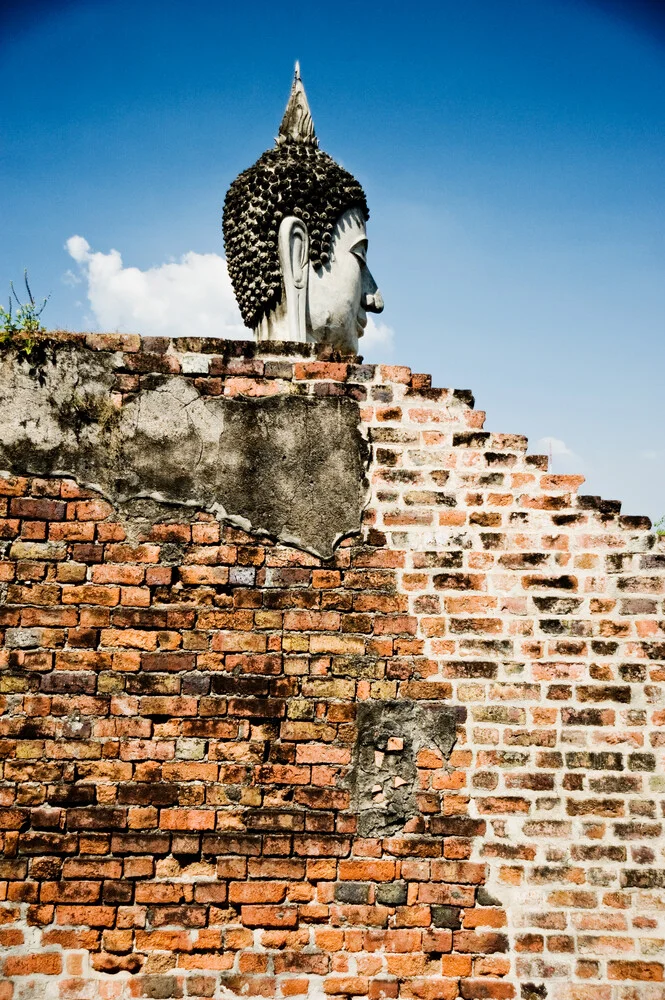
(429, 767)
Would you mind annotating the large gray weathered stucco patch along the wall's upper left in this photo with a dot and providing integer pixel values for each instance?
(290, 466)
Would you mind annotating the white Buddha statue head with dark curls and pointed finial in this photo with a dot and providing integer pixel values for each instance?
(296, 243)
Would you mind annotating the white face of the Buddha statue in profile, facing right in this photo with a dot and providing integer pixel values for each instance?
(343, 291)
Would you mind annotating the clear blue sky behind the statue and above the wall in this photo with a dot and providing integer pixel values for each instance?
(512, 153)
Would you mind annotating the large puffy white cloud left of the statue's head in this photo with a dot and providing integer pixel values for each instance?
(191, 297)
